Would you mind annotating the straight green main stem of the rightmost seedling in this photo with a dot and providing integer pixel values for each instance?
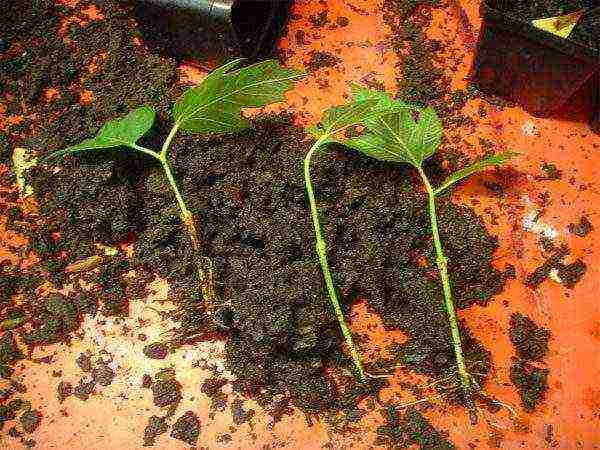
(442, 264)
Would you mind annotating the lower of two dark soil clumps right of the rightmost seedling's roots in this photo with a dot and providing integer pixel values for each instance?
(531, 382)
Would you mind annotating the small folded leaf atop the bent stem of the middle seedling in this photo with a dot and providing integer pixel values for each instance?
(338, 118)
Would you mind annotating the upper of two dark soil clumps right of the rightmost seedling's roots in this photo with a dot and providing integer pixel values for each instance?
(530, 340)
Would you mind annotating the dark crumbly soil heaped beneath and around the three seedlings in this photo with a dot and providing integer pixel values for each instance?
(247, 194)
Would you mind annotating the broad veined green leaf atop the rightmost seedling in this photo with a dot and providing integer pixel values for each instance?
(400, 137)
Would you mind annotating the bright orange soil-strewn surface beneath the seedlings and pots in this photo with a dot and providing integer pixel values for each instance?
(116, 416)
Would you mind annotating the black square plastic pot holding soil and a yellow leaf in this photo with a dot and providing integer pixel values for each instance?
(532, 67)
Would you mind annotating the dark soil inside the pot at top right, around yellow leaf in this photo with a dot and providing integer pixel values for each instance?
(586, 32)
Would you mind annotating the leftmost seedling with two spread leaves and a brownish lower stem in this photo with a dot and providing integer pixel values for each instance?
(213, 106)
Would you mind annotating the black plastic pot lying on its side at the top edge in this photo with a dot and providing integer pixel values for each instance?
(213, 29)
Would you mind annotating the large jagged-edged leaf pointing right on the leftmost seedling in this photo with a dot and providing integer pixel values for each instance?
(215, 105)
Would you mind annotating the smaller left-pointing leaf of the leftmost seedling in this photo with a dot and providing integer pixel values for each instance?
(116, 133)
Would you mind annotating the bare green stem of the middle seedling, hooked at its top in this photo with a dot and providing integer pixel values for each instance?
(321, 247)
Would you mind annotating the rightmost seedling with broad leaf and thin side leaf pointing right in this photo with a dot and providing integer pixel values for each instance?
(406, 134)
